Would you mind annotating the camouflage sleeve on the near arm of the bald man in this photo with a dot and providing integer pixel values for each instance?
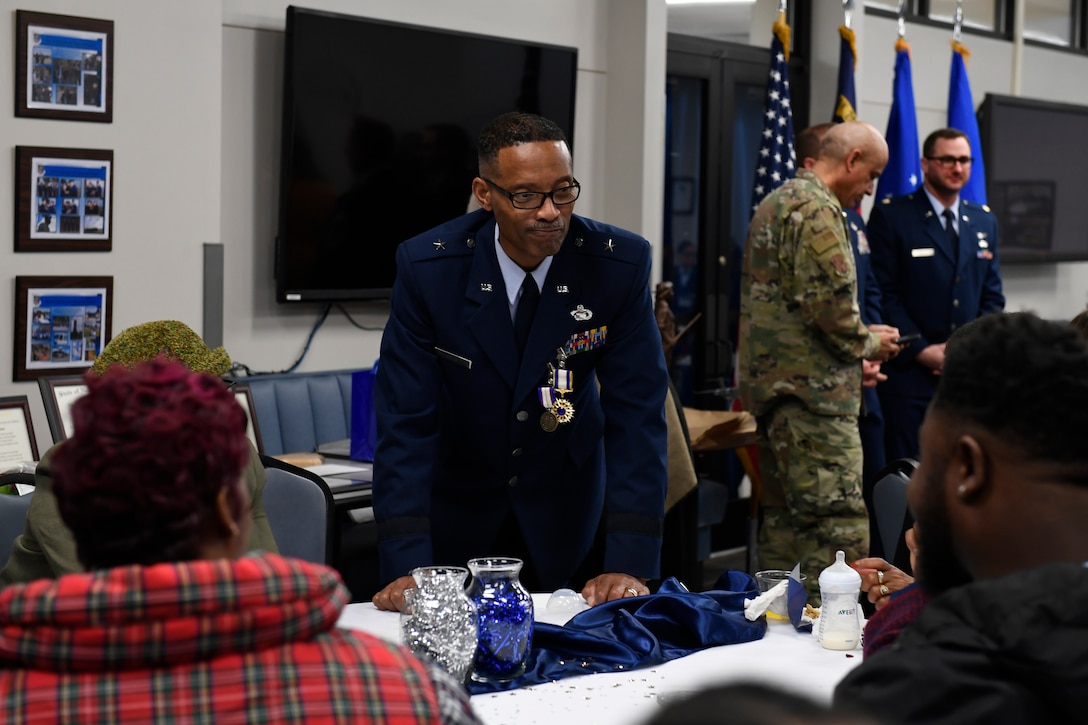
(827, 287)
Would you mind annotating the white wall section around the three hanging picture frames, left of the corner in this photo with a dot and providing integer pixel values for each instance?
(166, 138)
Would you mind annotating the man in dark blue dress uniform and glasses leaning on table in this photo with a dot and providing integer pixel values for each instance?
(522, 386)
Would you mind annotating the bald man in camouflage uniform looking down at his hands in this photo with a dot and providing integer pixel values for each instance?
(802, 342)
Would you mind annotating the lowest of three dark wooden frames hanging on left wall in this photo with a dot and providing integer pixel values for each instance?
(63, 324)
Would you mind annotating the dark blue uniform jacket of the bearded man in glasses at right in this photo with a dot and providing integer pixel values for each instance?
(924, 287)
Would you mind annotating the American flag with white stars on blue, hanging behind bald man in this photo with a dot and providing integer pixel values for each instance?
(777, 159)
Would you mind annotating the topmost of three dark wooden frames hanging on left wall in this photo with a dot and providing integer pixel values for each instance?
(64, 68)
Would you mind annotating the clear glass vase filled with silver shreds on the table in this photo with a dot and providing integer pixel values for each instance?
(439, 622)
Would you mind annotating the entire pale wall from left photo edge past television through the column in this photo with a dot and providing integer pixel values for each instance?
(197, 95)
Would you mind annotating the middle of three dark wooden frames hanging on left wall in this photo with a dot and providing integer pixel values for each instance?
(64, 200)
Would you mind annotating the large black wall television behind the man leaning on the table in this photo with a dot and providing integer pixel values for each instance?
(380, 122)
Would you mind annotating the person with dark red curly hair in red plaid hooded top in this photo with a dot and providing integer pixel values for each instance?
(171, 623)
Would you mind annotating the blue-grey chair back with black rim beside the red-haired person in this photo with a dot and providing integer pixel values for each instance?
(300, 507)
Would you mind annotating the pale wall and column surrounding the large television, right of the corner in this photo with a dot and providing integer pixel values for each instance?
(620, 129)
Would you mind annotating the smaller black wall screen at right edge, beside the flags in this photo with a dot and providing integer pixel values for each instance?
(1036, 182)
